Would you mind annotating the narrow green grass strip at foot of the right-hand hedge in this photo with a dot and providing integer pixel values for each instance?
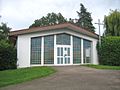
(103, 67)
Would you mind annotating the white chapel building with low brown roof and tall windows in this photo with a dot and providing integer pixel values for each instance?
(56, 45)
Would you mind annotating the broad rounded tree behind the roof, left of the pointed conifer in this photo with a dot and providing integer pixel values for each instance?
(50, 19)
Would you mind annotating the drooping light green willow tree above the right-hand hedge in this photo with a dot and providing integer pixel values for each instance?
(112, 23)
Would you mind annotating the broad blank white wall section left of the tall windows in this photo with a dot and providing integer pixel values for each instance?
(23, 51)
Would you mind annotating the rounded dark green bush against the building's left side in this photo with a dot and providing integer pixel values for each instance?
(8, 56)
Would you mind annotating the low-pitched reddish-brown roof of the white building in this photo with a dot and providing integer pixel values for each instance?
(53, 27)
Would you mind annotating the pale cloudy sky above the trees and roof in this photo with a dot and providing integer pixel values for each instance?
(20, 14)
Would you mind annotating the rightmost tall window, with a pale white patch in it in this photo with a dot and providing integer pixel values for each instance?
(87, 51)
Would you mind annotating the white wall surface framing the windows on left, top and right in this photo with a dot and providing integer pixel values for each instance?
(24, 44)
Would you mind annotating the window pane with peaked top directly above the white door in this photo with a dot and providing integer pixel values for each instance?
(63, 39)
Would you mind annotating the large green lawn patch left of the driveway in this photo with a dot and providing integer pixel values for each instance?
(9, 77)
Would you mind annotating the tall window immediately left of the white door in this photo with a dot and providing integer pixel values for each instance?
(49, 49)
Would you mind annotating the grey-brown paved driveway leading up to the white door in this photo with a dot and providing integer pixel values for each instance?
(73, 78)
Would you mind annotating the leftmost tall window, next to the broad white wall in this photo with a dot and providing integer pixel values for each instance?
(35, 50)
